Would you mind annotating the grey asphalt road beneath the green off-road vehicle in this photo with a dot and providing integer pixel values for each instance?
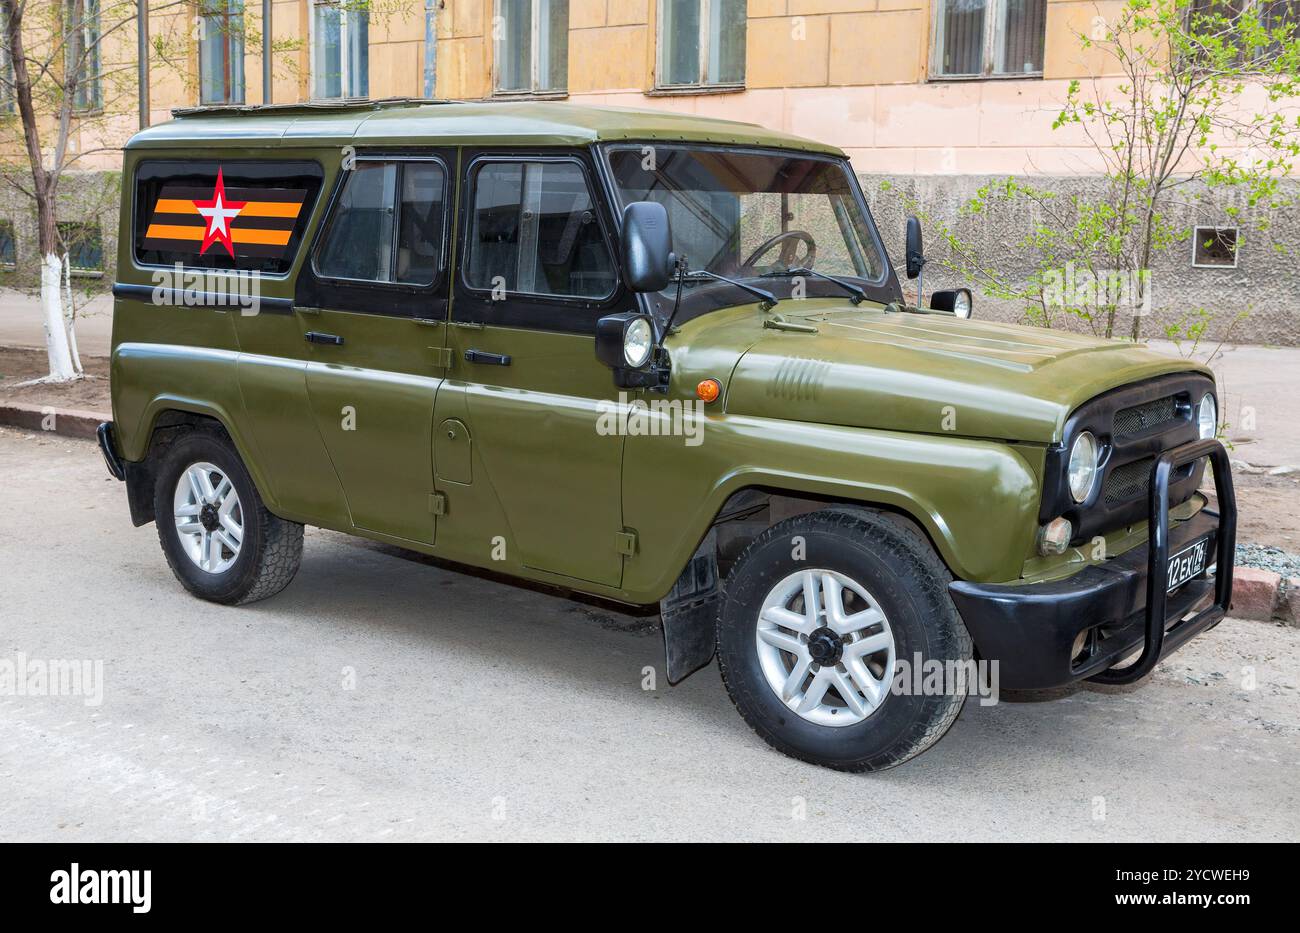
(391, 698)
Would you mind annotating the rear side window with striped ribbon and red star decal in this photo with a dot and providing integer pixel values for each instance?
(223, 215)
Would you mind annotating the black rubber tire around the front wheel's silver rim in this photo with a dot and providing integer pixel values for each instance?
(900, 570)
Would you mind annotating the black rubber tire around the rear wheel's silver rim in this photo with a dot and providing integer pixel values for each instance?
(272, 548)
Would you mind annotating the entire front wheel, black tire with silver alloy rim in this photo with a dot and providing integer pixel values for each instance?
(820, 614)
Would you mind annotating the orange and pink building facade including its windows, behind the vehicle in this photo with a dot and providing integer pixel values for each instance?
(930, 98)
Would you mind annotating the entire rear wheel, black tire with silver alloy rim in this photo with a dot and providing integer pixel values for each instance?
(216, 533)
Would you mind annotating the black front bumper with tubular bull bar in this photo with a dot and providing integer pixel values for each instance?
(1033, 631)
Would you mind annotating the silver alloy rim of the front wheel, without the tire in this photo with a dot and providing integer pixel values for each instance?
(826, 648)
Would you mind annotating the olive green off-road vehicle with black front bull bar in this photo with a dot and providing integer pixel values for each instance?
(662, 361)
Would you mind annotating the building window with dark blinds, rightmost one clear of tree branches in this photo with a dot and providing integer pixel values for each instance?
(989, 38)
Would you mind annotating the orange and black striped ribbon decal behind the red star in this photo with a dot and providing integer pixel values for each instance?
(262, 228)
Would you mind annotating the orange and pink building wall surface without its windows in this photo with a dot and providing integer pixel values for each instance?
(853, 73)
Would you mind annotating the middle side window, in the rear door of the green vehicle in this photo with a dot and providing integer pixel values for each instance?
(388, 225)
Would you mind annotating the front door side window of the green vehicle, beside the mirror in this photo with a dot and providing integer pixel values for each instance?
(534, 231)
